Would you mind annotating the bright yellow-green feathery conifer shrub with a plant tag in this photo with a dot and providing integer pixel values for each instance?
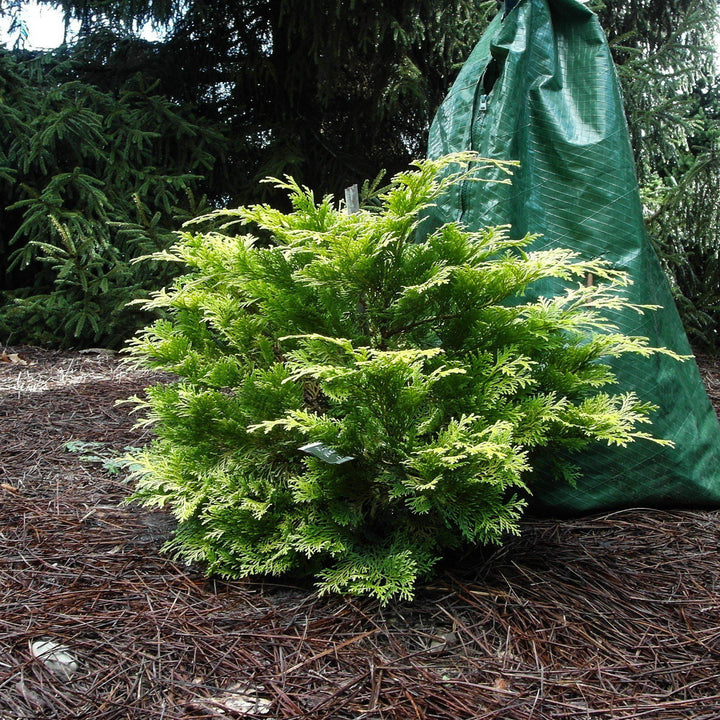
(430, 391)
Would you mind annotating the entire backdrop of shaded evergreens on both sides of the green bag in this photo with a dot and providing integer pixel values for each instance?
(108, 143)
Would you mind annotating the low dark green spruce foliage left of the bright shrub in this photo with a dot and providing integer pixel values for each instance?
(90, 181)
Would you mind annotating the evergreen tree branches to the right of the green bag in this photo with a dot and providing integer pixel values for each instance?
(666, 54)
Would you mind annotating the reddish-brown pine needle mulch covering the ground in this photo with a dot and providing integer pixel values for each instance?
(614, 616)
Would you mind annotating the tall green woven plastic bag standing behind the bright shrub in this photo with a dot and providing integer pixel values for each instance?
(540, 88)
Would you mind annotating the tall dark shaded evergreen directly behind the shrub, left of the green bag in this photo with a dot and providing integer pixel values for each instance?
(330, 92)
